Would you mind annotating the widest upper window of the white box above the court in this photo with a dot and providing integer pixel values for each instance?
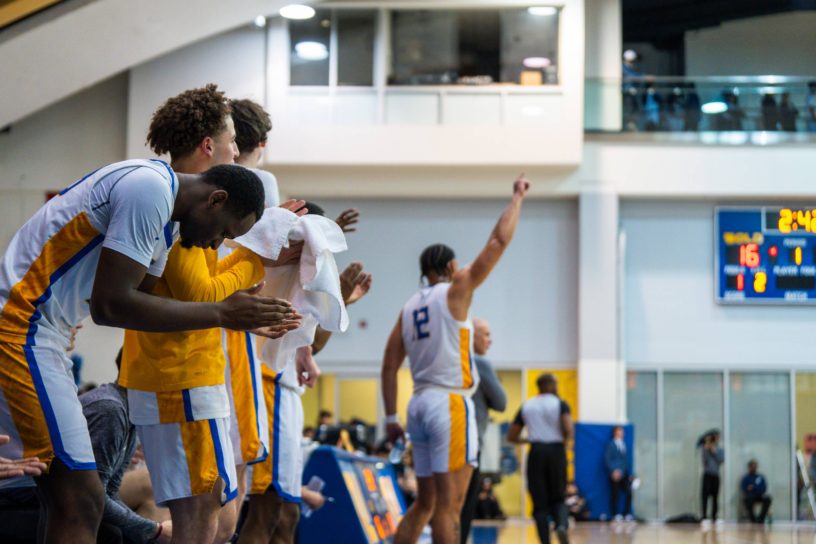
(438, 47)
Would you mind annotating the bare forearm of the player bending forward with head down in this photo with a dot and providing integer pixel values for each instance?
(142, 312)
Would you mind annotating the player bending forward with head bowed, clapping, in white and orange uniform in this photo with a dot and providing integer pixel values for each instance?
(114, 225)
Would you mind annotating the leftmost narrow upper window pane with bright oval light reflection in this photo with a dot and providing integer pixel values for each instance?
(309, 56)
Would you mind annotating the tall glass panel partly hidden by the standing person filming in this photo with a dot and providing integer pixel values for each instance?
(692, 405)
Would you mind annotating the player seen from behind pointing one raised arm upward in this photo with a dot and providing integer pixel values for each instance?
(435, 331)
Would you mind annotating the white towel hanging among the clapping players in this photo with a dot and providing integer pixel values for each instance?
(313, 288)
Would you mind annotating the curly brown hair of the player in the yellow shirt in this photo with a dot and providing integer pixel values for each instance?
(179, 125)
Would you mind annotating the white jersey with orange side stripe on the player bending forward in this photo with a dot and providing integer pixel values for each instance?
(47, 273)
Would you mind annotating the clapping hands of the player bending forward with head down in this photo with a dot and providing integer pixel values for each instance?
(245, 310)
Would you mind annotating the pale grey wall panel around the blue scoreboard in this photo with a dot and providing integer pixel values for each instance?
(671, 318)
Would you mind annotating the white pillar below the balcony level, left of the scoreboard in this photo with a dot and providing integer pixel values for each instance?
(601, 384)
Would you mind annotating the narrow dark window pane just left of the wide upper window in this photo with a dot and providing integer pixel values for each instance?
(355, 47)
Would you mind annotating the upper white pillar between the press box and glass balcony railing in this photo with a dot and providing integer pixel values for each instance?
(604, 43)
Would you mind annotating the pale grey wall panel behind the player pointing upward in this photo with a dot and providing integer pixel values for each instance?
(529, 299)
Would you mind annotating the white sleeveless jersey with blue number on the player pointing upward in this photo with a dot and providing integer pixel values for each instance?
(440, 348)
